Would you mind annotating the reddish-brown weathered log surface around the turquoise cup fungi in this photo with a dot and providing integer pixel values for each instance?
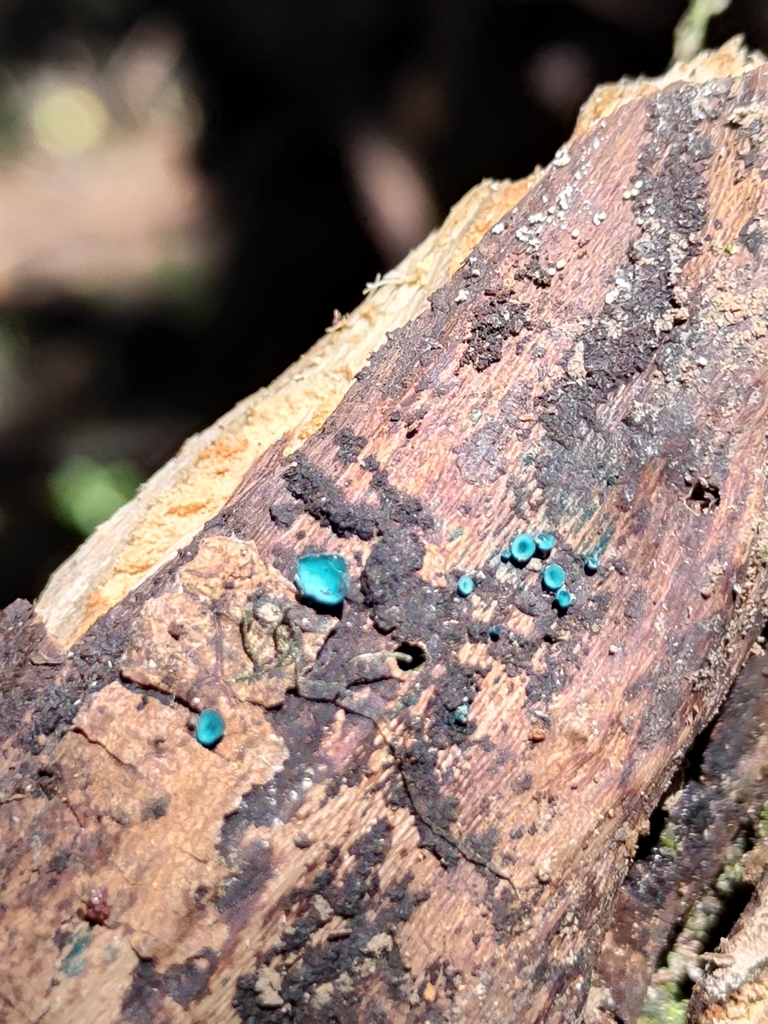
(598, 370)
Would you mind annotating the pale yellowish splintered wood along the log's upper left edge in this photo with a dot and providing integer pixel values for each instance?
(179, 501)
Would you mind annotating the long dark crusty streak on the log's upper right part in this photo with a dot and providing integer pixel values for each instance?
(581, 454)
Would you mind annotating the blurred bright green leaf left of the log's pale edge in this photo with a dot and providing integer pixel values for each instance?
(84, 493)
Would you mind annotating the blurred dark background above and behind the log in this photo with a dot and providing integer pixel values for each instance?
(189, 190)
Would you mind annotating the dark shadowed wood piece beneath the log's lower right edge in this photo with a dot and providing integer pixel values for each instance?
(705, 817)
